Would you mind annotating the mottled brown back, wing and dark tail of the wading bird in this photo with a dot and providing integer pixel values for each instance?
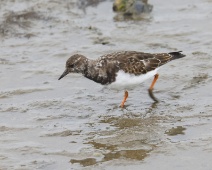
(137, 63)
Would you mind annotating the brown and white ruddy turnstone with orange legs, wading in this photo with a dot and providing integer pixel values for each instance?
(121, 68)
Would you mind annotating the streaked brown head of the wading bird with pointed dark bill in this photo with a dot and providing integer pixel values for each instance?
(75, 64)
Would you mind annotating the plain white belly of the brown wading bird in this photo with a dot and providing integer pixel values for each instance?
(127, 80)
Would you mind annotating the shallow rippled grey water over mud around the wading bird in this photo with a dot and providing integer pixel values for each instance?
(75, 123)
